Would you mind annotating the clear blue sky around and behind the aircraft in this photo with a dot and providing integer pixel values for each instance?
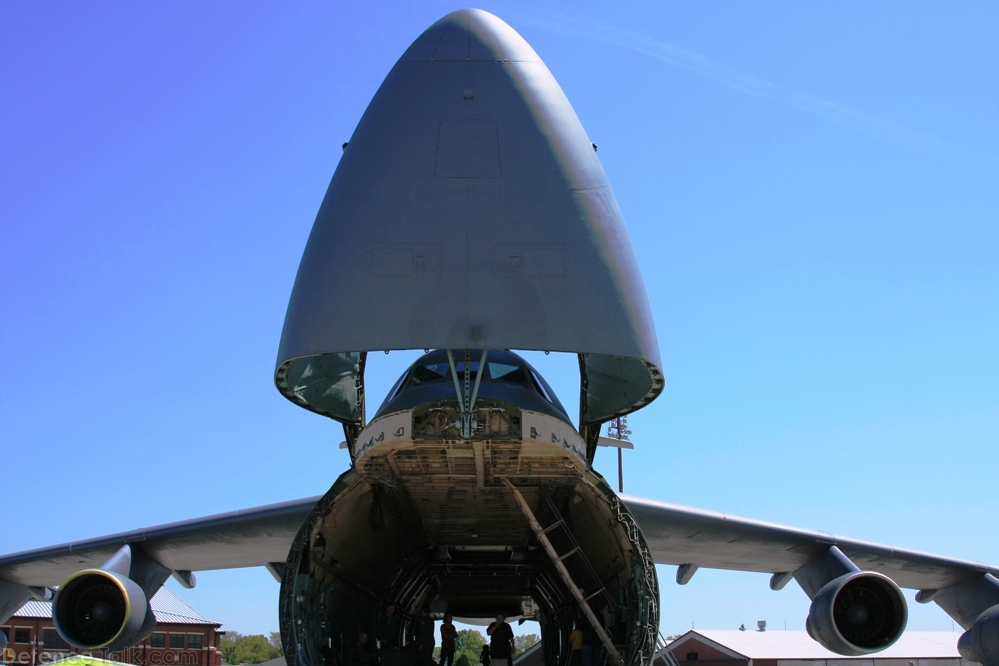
(812, 190)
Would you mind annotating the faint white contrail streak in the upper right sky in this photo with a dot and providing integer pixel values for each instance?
(746, 83)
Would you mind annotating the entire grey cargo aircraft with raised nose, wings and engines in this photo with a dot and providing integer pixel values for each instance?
(470, 216)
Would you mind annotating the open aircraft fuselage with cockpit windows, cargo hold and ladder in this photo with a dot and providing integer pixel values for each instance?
(432, 516)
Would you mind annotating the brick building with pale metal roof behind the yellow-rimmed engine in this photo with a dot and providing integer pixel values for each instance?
(183, 637)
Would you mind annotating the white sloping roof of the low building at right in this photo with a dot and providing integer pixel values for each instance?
(799, 645)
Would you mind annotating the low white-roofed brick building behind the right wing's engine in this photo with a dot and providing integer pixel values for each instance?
(717, 647)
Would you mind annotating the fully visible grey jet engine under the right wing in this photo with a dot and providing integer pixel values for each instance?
(857, 614)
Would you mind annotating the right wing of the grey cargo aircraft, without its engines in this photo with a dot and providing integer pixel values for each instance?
(684, 535)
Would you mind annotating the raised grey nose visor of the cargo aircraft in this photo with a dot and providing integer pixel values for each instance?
(469, 210)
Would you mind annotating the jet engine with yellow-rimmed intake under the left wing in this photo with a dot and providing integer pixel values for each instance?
(100, 609)
